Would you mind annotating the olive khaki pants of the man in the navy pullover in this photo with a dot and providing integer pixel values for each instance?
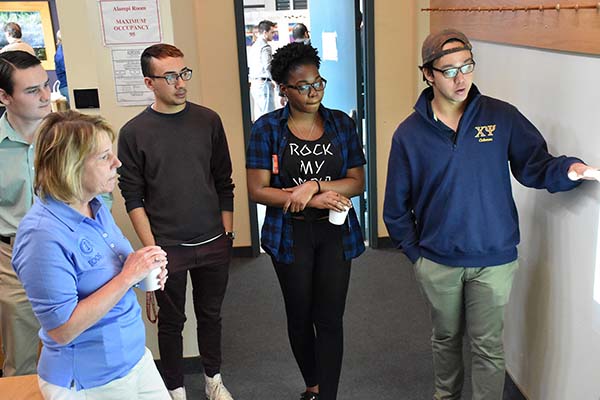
(473, 298)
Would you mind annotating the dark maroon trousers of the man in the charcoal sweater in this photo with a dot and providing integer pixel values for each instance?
(208, 266)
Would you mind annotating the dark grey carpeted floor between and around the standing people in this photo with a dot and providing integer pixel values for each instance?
(387, 350)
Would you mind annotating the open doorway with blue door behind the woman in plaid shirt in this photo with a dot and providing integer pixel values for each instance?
(343, 35)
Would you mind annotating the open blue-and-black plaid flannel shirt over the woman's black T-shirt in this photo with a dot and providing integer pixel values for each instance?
(269, 137)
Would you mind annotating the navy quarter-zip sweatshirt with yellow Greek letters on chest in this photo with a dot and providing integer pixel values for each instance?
(448, 197)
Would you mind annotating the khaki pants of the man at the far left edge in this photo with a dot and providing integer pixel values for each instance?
(18, 325)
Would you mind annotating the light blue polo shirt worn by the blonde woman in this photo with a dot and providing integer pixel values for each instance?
(61, 257)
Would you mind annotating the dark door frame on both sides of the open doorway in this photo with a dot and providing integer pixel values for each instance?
(369, 110)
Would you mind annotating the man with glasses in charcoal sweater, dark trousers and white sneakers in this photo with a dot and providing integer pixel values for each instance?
(176, 182)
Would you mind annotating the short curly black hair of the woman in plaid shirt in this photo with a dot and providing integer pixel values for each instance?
(290, 57)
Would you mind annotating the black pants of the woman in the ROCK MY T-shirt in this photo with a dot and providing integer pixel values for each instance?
(314, 288)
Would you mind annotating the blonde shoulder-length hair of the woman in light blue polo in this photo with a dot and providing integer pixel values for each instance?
(64, 140)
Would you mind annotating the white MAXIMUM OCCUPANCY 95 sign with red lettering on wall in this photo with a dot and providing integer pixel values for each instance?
(130, 22)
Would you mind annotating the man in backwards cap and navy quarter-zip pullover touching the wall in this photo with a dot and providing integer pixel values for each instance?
(449, 207)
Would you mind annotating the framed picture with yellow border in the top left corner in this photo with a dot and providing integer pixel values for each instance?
(36, 25)
